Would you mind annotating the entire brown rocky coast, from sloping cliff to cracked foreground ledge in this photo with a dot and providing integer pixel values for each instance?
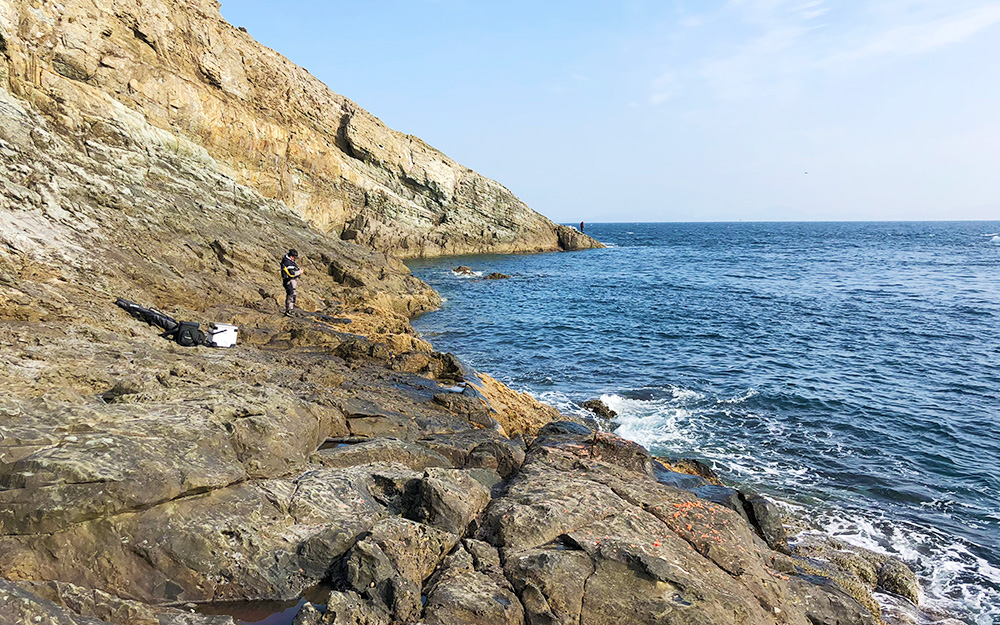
(152, 151)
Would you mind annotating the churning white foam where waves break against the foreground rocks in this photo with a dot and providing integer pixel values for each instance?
(953, 578)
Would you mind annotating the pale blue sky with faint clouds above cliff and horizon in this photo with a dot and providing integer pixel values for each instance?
(678, 110)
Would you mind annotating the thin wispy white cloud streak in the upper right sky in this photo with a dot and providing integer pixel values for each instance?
(785, 41)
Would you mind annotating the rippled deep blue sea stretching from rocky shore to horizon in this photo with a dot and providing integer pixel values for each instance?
(847, 369)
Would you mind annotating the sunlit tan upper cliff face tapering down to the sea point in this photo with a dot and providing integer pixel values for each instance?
(93, 66)
